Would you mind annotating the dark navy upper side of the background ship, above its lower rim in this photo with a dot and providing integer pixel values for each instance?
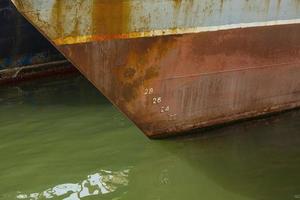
(20, 43)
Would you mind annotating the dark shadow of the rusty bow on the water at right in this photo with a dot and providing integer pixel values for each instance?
(255, 160)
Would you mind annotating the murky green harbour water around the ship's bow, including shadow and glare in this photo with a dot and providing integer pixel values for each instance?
(61, 139)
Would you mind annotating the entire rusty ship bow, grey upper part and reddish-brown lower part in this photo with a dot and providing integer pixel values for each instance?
(173, 66)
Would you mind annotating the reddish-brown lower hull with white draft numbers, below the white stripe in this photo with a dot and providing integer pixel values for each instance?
(170, 84)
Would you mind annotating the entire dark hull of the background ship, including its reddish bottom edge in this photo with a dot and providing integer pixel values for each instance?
(17, 51)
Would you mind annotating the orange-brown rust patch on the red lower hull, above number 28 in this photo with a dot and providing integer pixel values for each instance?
(140, 68)
